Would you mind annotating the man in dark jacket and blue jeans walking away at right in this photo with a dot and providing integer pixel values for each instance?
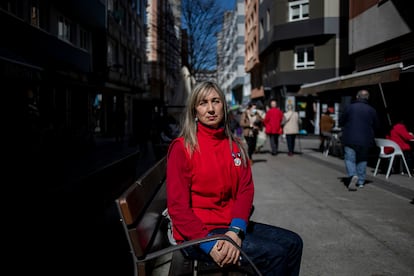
(359, 124)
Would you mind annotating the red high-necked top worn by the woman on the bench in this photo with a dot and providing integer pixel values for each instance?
(207, 190)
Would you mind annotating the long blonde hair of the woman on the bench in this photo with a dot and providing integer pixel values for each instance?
(189, 122)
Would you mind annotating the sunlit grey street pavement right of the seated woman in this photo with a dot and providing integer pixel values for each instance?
(365, 232)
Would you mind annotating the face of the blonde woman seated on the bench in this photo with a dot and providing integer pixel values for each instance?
(209, 110)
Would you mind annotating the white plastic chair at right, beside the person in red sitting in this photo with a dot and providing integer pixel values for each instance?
(382, 143)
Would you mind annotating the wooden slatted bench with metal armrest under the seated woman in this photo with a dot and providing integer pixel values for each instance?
(141, 209)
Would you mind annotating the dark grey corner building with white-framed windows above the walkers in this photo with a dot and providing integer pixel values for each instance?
(300, 42)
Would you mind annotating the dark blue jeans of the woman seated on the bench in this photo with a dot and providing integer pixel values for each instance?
(274, 250)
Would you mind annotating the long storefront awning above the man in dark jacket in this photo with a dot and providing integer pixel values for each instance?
(388, 73)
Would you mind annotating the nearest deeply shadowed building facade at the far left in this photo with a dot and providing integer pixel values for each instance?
(48, 58)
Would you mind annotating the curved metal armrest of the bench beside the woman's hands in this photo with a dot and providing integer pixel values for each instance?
(185, 244)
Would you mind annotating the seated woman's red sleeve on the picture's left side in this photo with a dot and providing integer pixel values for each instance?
(186, 224)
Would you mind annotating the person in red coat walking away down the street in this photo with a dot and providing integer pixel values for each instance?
(273, 125)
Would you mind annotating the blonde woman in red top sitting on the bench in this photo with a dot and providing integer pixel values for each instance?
(210, 190)
